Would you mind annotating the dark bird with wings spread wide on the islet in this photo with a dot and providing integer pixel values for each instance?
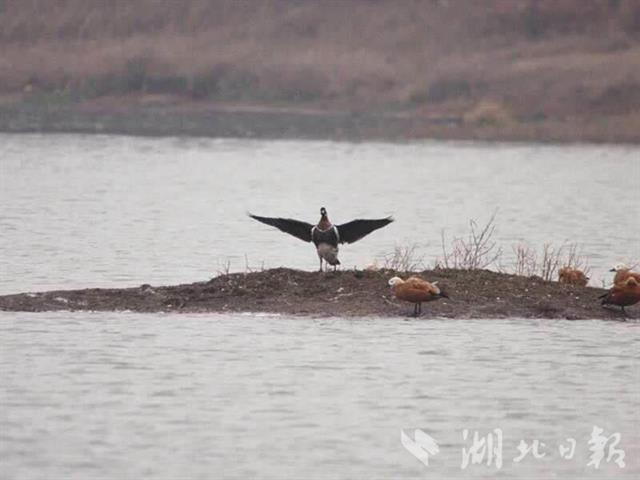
(325, 235)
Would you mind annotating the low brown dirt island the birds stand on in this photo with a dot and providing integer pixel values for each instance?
(349, 293)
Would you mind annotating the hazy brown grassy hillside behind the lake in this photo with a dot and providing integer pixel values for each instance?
(535, 68)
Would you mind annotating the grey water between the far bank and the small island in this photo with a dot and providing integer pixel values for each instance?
(119, 211)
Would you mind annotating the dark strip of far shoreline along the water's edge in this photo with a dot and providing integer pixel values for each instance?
(280, 123)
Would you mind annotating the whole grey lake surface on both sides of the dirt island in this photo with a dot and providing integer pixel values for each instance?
(113, 395)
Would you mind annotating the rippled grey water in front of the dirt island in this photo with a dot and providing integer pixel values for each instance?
(185, 396)
